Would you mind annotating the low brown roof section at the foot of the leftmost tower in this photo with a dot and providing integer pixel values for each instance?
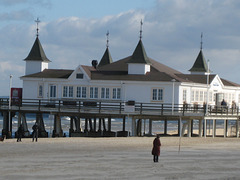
(52, 73)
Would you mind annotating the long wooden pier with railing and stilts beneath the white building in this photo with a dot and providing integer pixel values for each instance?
(98, 116)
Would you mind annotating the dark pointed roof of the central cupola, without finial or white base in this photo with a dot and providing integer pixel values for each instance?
(139, 55)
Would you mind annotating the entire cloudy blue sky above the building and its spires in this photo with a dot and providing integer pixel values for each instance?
(73, 32)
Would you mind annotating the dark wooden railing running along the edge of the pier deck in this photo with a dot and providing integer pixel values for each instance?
(114, 107)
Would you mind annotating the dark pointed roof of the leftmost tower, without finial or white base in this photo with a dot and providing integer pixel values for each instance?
(37, 53)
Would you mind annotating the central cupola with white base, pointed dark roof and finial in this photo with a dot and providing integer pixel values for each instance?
(139, 62)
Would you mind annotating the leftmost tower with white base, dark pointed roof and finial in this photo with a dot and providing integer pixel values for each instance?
(36, 61)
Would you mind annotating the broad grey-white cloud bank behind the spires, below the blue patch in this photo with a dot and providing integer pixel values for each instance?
(171, 35)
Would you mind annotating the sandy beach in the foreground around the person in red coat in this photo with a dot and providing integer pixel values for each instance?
(120, 158)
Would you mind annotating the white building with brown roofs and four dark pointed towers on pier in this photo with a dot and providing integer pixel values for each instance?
(136, 77)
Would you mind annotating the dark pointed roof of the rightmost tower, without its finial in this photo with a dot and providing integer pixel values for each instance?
(200, 64)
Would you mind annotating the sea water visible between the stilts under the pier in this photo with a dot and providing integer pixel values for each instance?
(117, 124)
